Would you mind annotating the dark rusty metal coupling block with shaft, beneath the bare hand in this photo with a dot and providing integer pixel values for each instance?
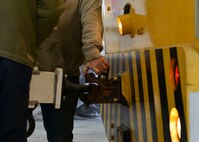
(98, 90)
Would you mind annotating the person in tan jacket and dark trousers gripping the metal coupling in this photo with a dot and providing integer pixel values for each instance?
(76, 40)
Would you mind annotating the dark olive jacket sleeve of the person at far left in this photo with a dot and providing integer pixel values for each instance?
(47, 15)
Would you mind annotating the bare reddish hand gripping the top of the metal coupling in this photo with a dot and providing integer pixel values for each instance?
(98, 65)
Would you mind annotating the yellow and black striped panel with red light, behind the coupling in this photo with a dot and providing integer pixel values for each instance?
(155, 88)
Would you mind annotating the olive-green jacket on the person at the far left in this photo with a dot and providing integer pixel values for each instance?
(25, 23)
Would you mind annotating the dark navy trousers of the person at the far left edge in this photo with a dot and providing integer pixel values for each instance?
(14, 96)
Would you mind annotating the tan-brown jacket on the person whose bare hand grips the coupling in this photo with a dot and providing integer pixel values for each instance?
(76, 39)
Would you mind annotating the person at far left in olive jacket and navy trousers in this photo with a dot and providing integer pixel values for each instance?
(23, 25)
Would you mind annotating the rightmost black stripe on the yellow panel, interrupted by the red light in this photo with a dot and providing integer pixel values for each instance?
(179, 101)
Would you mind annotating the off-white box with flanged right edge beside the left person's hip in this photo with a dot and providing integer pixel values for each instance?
(46, 87)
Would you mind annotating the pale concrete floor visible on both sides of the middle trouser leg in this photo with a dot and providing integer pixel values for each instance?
(85, 130)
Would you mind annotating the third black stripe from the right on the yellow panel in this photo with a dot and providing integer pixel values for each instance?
(151, 97)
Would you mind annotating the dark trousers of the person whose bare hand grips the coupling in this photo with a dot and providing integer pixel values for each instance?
(58, 123)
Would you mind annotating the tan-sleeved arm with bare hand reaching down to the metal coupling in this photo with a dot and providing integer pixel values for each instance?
(92, 31)
